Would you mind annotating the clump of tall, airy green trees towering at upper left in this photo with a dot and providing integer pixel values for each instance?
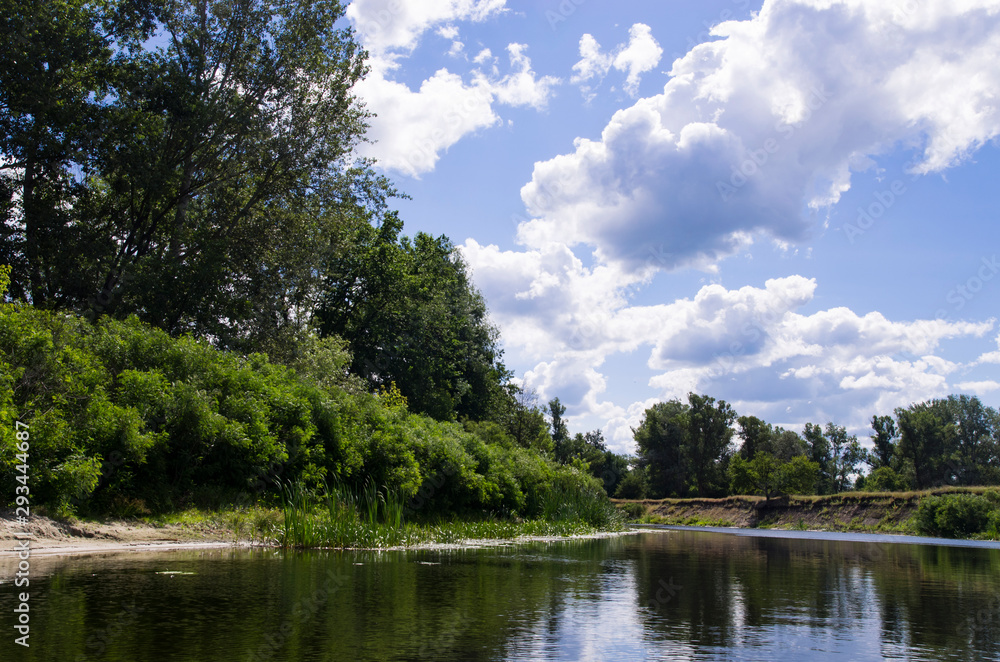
(196, 184)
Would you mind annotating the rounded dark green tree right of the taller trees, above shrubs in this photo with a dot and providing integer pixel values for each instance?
(411, 315)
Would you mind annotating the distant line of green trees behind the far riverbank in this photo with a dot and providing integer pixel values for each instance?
(690, 449)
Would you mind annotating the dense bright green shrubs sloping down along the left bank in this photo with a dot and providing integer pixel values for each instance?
(125, 419)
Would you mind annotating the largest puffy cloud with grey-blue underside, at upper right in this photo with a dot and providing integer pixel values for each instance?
(768, 121)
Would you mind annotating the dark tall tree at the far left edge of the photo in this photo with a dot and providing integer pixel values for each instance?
(56, 66)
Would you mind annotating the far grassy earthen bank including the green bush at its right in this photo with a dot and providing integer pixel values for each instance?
(970, 512)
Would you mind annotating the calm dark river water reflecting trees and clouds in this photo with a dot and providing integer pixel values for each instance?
(663, 595)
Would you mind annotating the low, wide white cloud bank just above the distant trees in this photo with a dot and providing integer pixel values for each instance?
(751, 346)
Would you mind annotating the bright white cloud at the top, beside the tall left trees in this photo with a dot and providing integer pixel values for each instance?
(413, 127)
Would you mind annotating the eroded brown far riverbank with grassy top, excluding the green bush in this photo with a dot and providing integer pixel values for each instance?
(862, 512)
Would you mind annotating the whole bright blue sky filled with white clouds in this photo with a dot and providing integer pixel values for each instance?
(789, 205)
